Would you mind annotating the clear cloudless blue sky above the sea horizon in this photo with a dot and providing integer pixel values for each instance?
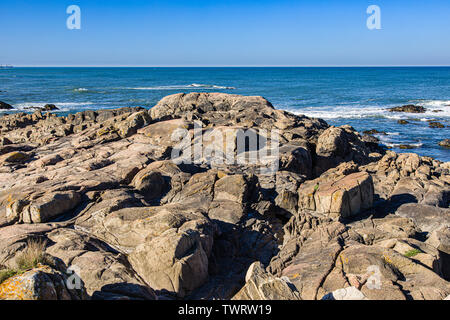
(224, 33)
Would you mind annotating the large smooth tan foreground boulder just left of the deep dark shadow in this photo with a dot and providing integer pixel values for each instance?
(169, 246)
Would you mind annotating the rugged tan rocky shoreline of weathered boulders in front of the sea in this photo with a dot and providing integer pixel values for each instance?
(341, 218)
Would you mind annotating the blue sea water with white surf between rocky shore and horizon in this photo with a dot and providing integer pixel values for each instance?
(355, 96)
